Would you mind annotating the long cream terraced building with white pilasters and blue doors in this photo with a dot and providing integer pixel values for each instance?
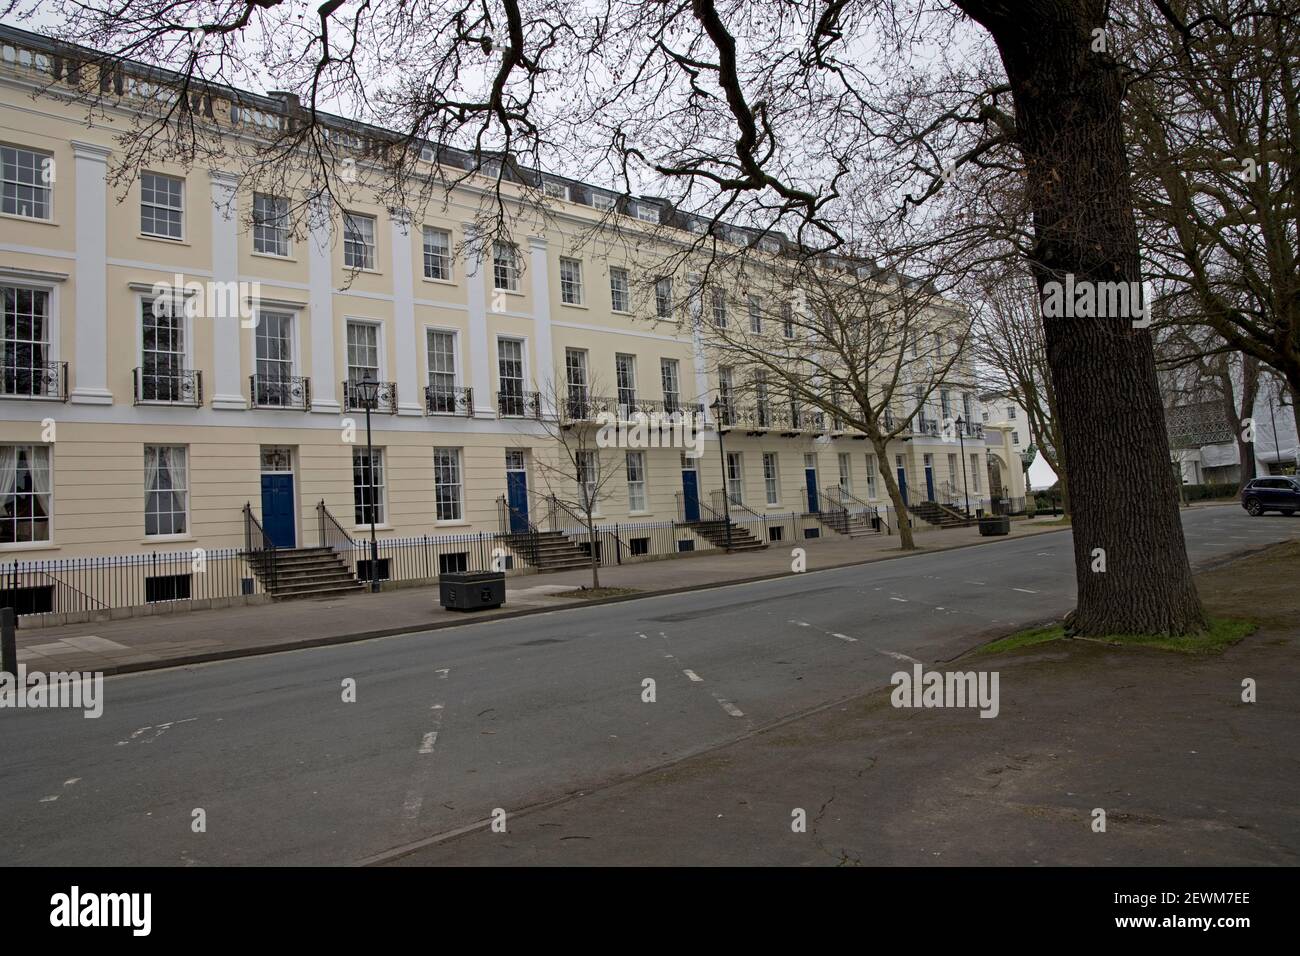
(127, 429)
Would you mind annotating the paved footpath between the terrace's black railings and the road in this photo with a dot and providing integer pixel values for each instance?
(163, 641)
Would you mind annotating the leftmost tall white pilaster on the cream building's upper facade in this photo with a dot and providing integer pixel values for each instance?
(92, 283)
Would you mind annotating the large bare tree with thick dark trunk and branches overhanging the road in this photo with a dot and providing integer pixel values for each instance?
(794, 118)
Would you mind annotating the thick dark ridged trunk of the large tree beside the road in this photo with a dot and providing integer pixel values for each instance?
(1071, 133)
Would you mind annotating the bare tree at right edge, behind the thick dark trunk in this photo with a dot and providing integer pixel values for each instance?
(1214, 123)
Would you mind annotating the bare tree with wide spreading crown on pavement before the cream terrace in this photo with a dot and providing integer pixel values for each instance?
(843, 341)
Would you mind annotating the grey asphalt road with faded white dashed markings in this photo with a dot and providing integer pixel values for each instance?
(453, 725)
